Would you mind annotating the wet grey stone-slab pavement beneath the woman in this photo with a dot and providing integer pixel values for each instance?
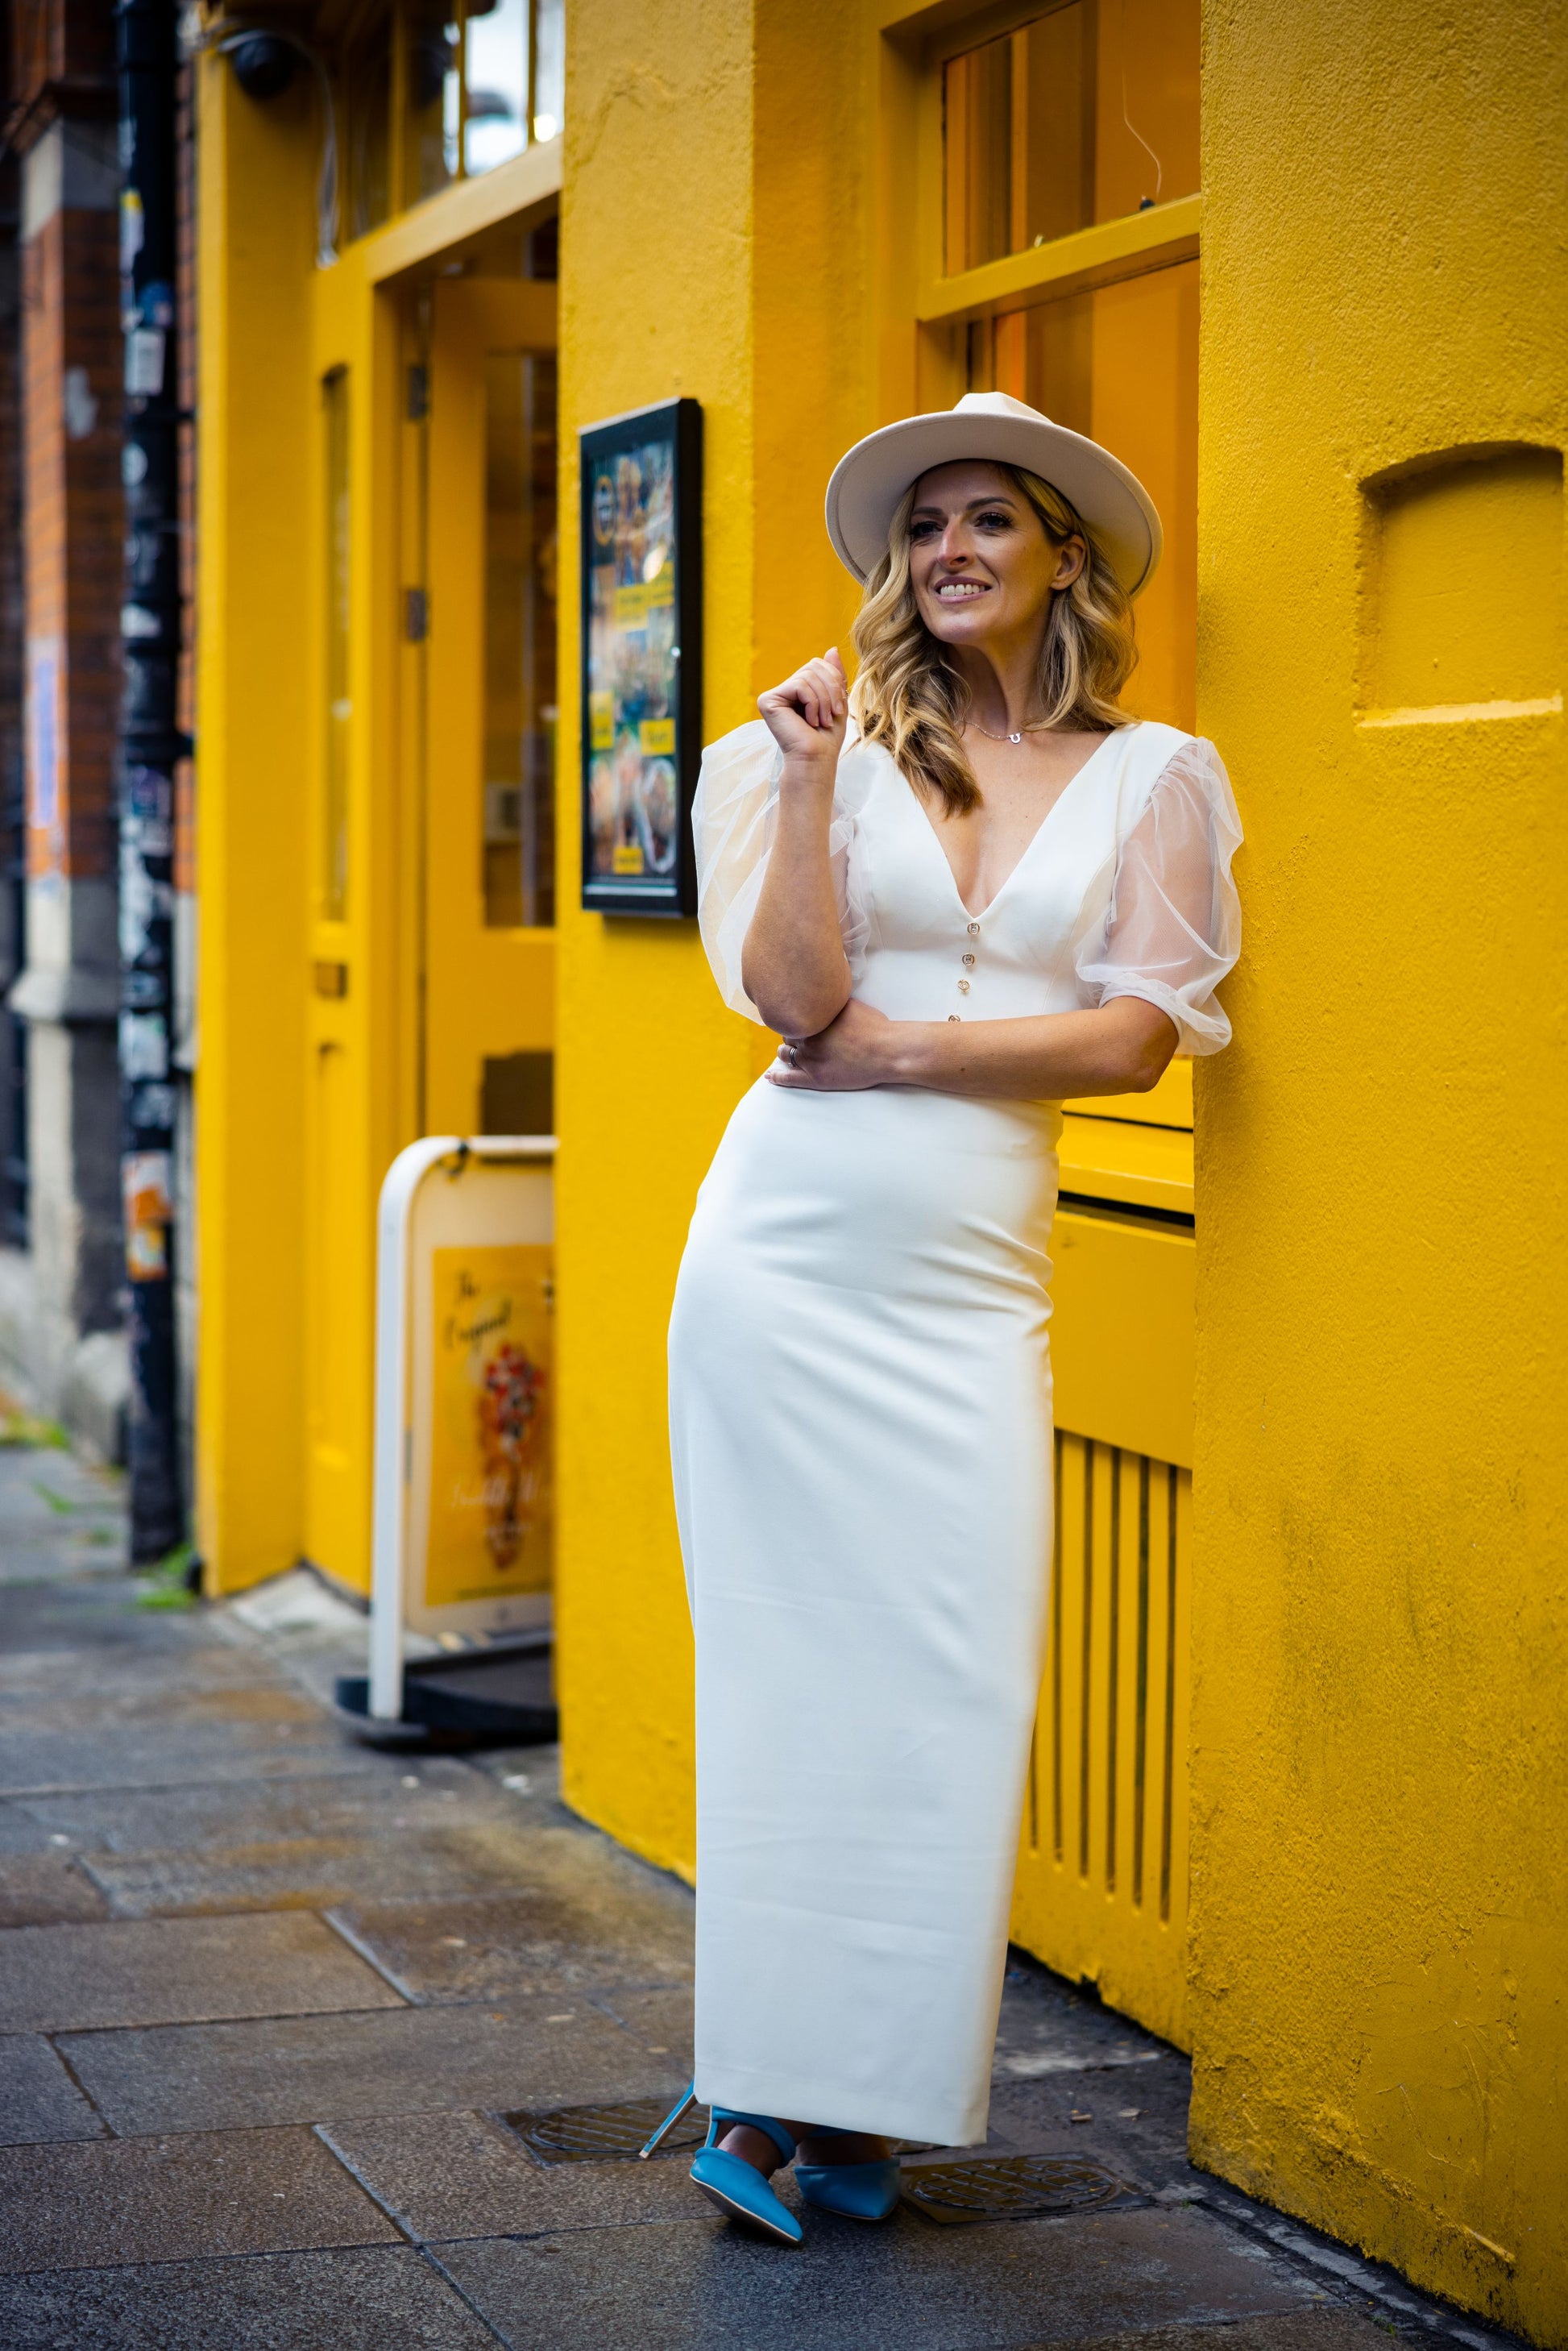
(276, 2011)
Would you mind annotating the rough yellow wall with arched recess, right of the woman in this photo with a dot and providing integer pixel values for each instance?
(1381, 1626)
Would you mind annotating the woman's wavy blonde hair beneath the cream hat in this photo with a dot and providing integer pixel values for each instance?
(911, 692)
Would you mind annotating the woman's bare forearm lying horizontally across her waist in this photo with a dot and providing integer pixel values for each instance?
(1118, 1050)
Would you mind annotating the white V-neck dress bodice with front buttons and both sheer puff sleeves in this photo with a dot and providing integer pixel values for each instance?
(1125, 890)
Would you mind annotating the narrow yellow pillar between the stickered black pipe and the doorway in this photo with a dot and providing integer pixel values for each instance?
(257, 408)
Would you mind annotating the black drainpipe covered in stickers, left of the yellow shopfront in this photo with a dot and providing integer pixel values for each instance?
(149, 749)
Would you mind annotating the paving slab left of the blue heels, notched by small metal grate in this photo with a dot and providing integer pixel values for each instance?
(462, 2176)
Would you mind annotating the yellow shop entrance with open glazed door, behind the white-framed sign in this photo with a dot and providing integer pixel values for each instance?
(434, 939)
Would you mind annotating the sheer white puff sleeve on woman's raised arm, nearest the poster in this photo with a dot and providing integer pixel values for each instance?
(732, 822)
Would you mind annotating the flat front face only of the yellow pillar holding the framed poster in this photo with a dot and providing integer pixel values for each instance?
(648, 1059)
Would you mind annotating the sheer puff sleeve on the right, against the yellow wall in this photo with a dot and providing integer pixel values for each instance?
(1174, 925)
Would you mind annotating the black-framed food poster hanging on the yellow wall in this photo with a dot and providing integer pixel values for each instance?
(643, 657)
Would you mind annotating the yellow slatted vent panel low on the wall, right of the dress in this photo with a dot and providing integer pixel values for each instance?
(1104, 1863)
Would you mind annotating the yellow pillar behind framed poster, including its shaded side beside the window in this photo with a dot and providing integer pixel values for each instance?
(685, 217)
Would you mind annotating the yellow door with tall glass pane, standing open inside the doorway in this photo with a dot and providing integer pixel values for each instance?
(488, 977)
